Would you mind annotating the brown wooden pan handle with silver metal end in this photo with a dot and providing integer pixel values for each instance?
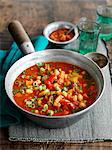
(21, 37)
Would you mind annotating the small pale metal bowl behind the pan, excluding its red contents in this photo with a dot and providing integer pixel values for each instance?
(57, 25)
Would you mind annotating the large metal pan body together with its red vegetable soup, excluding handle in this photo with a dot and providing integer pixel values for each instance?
(55, 88)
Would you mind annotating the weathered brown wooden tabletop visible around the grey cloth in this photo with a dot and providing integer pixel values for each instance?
(35, 15)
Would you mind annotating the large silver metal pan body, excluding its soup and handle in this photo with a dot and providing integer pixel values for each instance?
(54, 55)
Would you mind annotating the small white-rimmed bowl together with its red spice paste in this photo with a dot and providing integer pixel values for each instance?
(60, 34)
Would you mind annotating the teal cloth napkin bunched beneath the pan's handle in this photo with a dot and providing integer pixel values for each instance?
(9, 115)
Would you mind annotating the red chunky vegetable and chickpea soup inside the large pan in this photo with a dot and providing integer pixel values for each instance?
(54, 89)
